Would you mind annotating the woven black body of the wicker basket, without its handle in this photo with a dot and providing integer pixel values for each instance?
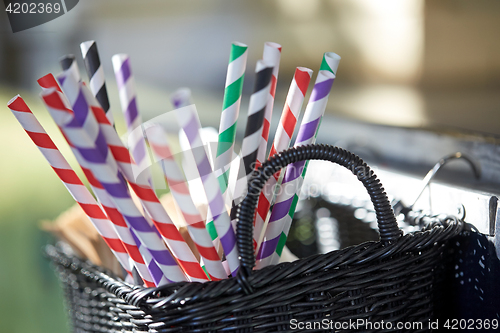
(357, 282)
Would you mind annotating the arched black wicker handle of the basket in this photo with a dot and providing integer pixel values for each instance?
(387, 224)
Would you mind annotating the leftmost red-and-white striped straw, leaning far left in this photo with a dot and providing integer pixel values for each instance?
(69, 178)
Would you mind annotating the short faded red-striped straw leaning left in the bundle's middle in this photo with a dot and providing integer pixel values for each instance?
(179, 189)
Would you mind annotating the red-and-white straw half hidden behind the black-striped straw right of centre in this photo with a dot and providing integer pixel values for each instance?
(272, 55)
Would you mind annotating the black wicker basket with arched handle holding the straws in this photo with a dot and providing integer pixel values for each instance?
(387, 282)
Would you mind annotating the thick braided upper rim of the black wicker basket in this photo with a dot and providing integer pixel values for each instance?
(188, 293)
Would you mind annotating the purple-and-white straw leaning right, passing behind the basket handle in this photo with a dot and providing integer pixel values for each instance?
(287, 199)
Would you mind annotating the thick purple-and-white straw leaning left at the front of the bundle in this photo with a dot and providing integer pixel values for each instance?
(85, 135)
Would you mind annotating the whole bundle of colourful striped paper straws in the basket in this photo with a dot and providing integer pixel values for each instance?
(143, 237)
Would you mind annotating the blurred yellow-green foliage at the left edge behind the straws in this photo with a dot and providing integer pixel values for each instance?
(31, 299)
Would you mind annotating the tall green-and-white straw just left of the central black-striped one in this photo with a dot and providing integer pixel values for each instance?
(228, 119)
